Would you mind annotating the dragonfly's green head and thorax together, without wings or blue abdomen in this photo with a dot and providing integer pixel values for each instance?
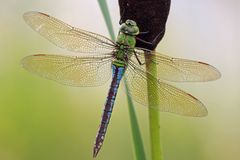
(126, 42)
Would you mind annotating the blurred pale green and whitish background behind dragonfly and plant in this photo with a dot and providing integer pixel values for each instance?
(43, 120)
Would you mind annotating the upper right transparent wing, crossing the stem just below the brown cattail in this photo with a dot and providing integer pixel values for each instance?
(176, 69)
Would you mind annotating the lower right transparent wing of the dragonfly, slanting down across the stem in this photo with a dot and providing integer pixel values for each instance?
(169, 98)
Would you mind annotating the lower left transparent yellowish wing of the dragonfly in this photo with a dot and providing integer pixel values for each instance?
(70, 70)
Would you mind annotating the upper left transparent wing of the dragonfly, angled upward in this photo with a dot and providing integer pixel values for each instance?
(66, 36)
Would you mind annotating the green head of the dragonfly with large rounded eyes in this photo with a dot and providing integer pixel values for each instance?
(130, 27)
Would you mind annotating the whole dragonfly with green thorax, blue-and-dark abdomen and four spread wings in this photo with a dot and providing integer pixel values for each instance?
(96, 59)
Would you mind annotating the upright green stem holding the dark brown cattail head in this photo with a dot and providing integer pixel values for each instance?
(154, 115)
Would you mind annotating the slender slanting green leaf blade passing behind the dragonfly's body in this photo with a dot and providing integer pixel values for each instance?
(137, 140)
